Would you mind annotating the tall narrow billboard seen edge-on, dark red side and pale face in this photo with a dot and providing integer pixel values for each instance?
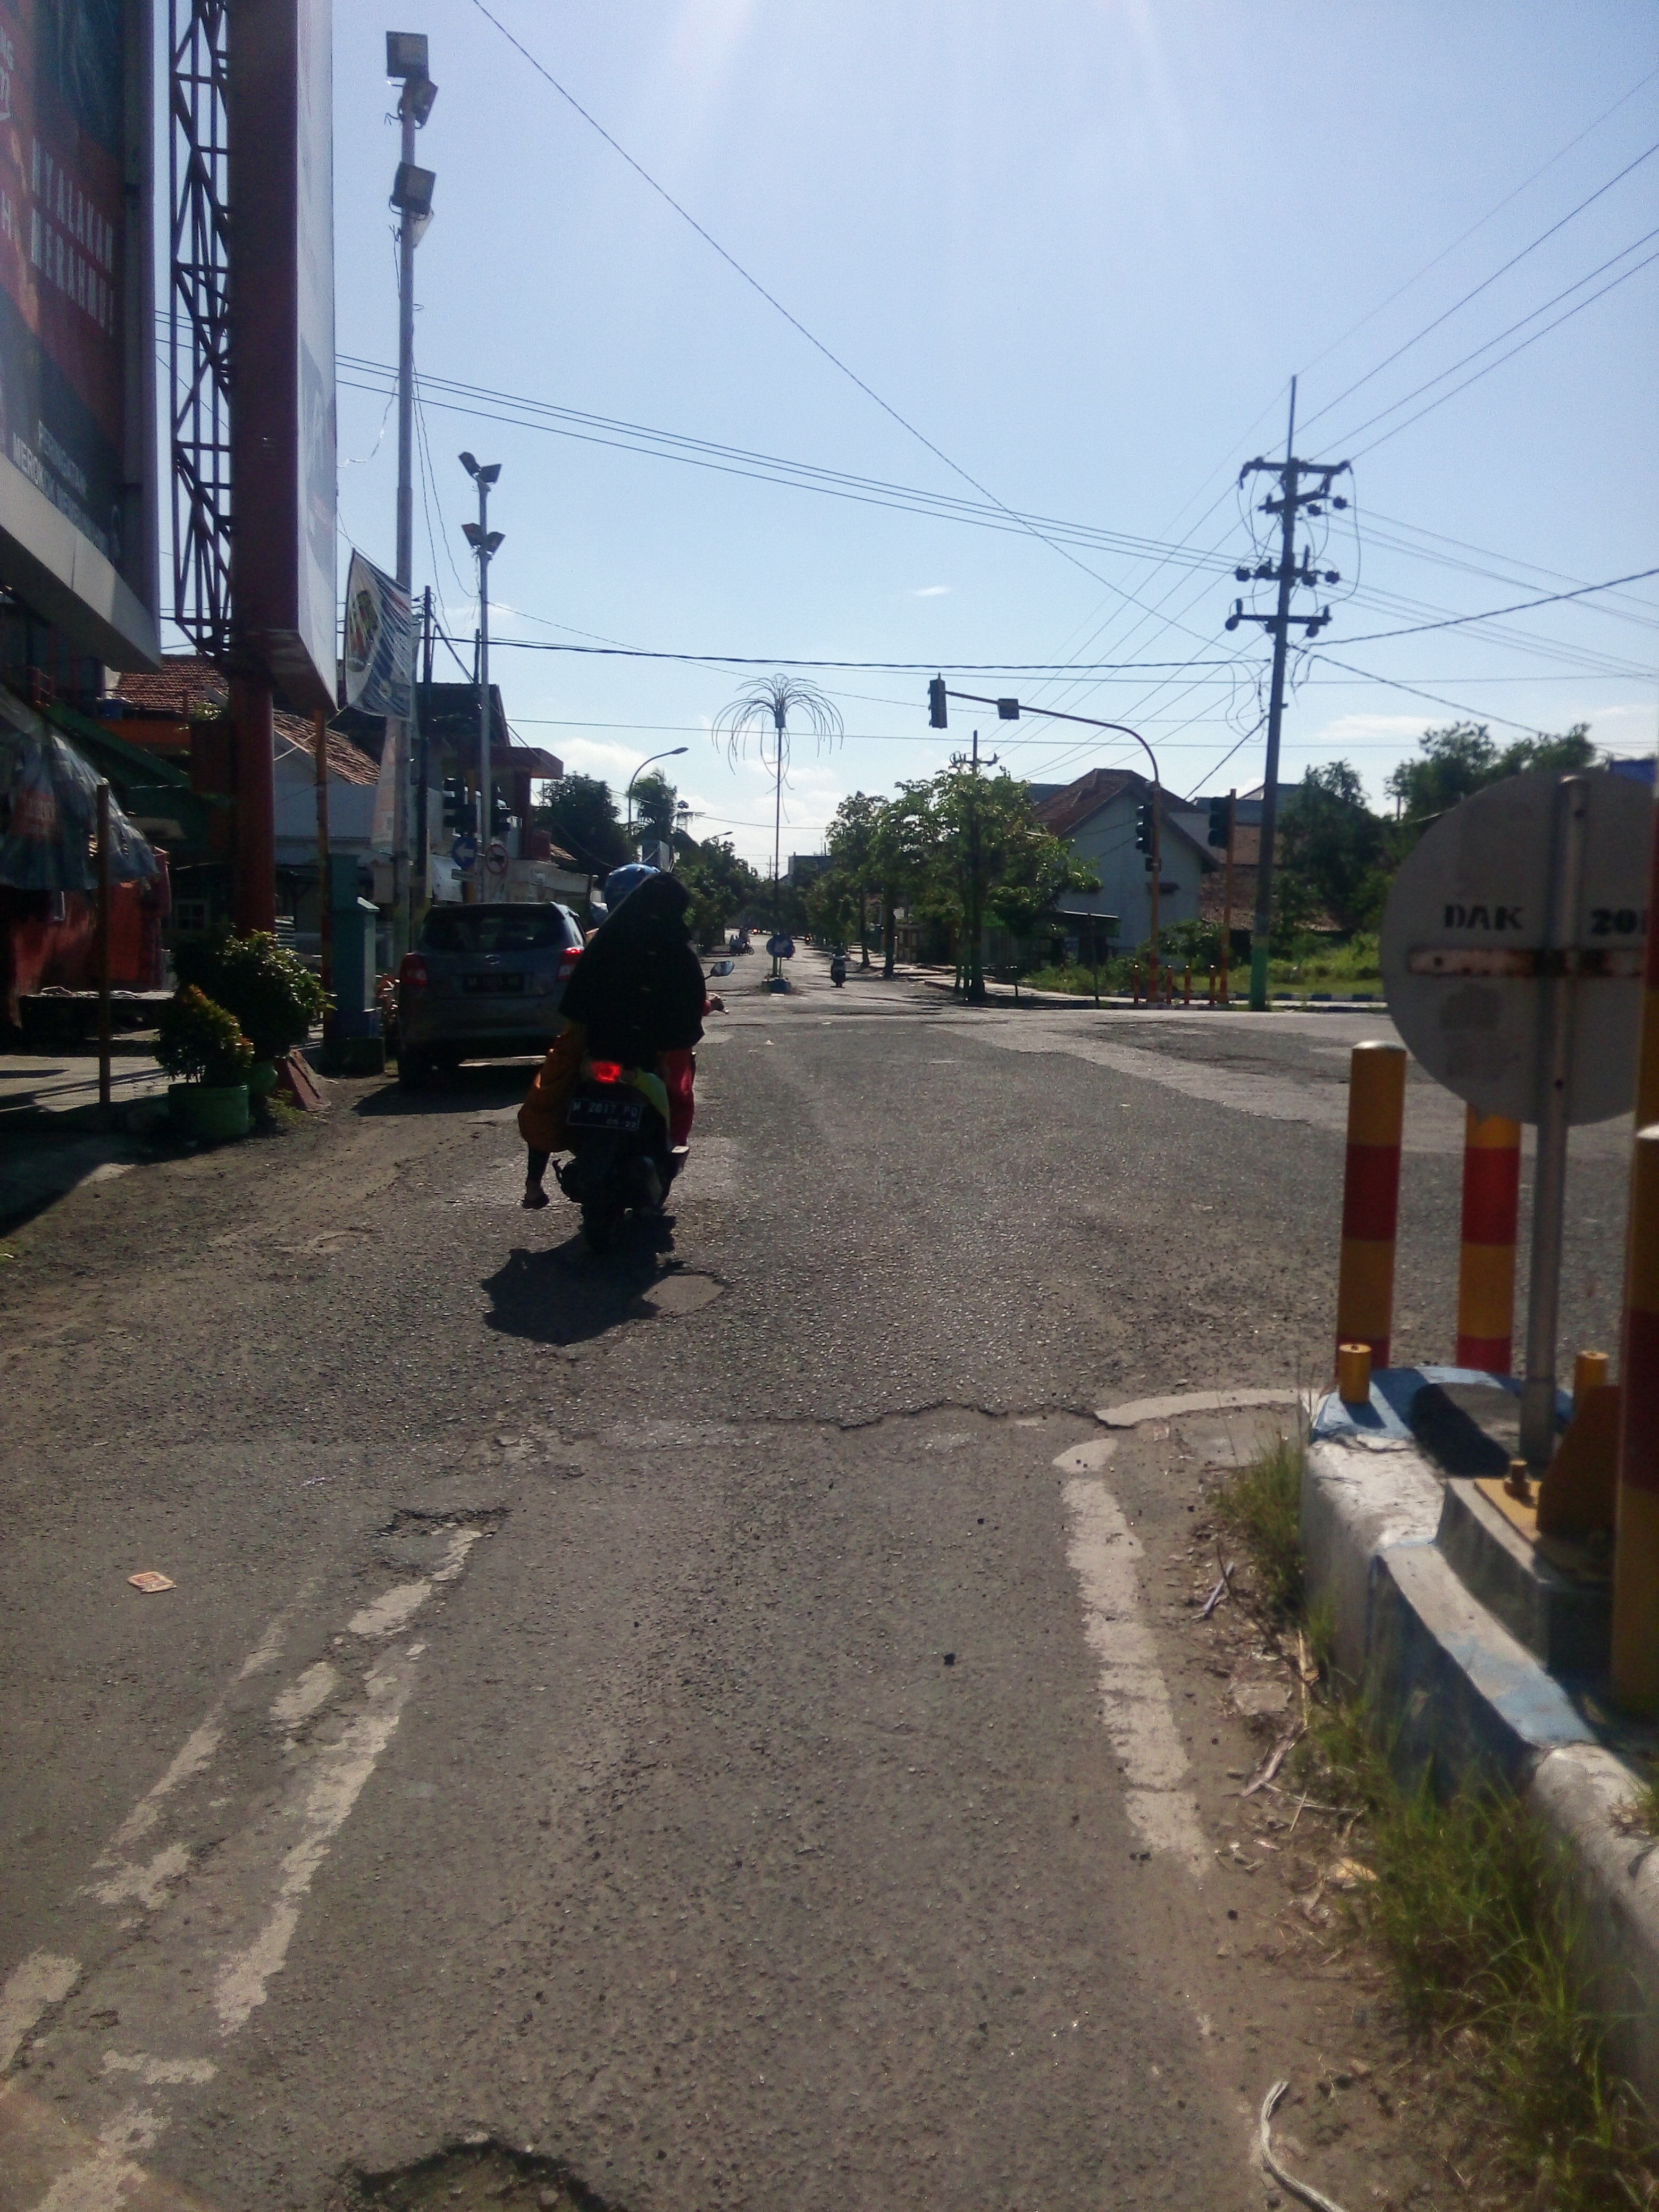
(282, 342)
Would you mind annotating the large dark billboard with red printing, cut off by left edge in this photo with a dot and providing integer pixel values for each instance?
(76, 309)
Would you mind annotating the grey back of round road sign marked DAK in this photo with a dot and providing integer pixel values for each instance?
(1468, 957)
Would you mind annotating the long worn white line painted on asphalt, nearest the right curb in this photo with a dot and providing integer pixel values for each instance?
(1105, 1556)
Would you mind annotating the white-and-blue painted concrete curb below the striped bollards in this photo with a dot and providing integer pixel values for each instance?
(1459, 1693)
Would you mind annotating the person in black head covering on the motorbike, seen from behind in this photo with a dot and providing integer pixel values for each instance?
(638, 997)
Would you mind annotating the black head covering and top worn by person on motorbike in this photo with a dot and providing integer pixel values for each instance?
(638, 988)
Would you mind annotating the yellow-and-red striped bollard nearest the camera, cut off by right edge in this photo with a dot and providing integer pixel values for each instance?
(1636, 1552)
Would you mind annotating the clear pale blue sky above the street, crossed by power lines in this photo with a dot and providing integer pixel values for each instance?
(1054, 260)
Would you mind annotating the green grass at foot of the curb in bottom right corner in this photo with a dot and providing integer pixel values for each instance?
(1477, 1912)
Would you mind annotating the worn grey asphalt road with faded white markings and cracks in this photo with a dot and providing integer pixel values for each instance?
(700, 1720)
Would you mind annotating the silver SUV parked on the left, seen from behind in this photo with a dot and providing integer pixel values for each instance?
(483, 983)
